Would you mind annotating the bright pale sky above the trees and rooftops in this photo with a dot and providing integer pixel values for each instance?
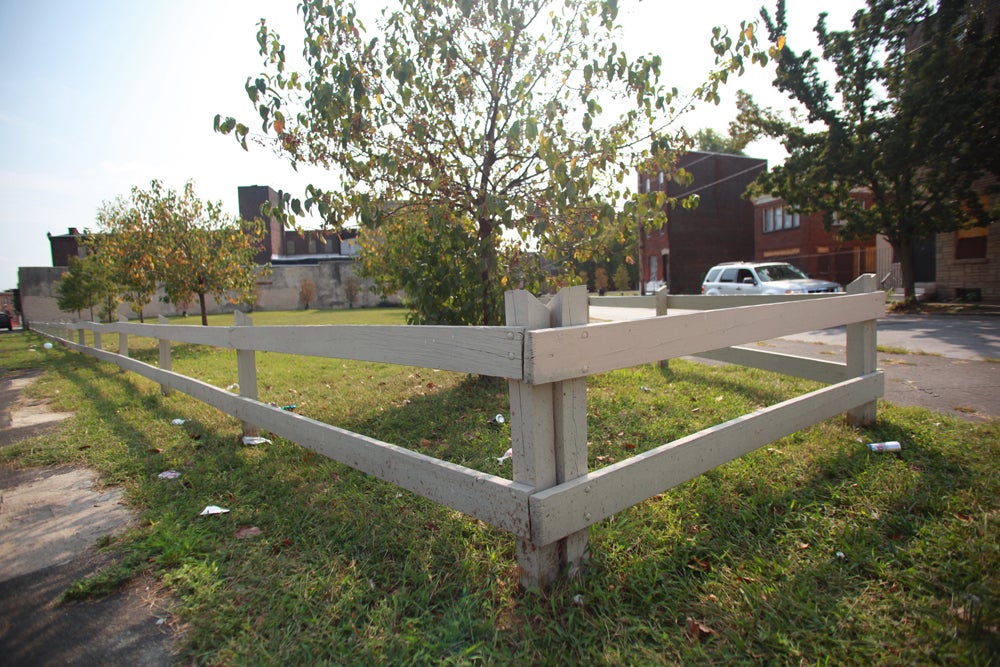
(99, 96)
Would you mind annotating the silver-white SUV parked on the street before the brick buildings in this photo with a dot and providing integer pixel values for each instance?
(762, 278)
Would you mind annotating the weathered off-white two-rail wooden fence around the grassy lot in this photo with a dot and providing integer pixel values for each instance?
(546, 351)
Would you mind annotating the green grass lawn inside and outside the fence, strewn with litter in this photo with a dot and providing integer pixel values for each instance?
(811, 550)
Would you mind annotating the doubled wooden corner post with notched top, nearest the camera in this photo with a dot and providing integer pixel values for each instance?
(548, 434)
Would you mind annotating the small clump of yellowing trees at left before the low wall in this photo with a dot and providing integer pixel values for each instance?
(162, 237)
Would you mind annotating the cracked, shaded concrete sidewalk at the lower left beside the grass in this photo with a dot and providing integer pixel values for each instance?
(50, 520)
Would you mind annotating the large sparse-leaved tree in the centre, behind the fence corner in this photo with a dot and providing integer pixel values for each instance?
(491, 119)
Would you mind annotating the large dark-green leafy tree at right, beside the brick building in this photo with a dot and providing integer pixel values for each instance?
(911, 119)
